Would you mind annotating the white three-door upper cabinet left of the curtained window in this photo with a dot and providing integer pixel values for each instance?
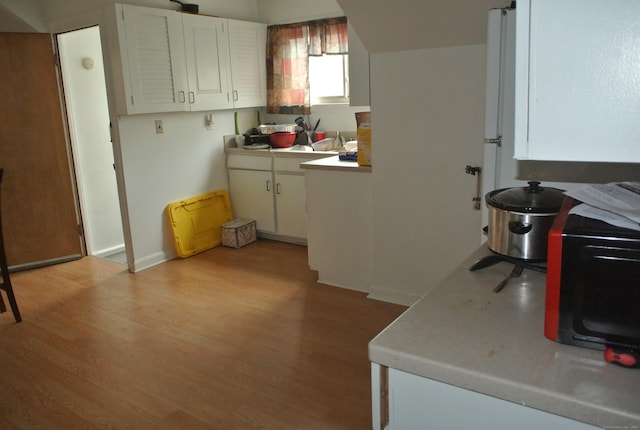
(167, 61)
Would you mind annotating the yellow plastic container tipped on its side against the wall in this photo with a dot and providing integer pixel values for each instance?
(196, 222)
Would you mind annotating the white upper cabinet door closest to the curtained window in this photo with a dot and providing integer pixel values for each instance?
(248, 46)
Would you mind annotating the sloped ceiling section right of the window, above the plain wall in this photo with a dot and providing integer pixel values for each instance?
(407, 25)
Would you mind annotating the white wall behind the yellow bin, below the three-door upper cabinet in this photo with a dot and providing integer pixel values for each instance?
(184, 161)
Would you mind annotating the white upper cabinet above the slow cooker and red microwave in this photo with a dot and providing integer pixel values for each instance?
(577, 86)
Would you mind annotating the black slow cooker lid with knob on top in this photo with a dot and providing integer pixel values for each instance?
(532, 199)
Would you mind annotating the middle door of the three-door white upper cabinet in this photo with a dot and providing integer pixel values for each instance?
(207, 56)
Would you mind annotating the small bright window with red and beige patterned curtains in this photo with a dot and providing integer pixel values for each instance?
(303, 56)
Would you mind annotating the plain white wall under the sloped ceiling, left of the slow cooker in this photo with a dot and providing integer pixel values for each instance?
(427, 120)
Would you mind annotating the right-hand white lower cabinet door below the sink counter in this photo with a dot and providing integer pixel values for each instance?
(291, 205)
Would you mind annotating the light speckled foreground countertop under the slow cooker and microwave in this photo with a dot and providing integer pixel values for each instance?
(463, 334)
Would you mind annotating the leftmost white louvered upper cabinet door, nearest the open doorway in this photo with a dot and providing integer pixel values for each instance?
(154, 70)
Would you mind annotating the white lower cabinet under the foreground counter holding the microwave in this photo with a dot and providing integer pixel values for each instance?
(416, 403)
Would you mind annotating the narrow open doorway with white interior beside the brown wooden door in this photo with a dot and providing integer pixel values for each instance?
(85, 95)
